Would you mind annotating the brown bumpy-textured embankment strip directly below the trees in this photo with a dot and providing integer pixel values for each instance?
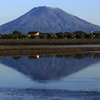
(49, 41)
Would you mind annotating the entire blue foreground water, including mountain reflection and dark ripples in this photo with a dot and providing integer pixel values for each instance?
(74, 76)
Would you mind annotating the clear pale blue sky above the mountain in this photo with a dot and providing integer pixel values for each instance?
(88, 10)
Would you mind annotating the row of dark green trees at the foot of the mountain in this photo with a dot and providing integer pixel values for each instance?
(60, 35)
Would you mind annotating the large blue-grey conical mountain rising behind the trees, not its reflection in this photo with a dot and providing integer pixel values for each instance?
(47, 19)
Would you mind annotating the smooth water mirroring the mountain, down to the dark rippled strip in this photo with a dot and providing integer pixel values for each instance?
(69, 71)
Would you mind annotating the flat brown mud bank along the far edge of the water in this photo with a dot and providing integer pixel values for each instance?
(42, 50)
